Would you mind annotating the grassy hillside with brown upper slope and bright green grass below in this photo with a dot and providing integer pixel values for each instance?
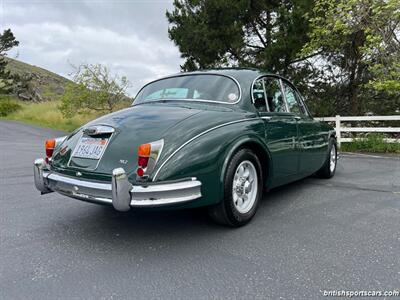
(38, 100)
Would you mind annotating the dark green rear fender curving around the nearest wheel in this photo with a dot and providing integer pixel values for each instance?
(205, 158)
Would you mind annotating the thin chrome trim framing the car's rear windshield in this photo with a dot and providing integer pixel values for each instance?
(196, 100)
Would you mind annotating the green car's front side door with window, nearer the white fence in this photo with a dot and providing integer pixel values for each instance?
(312, 142)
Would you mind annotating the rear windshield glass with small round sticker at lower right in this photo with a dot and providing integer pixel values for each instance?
(191, 87)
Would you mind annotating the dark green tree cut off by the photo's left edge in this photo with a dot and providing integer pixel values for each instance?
(7, 42)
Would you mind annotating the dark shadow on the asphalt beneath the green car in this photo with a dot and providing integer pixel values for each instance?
(104, 225)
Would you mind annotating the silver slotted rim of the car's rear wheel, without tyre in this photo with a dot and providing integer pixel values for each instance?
(244, 187)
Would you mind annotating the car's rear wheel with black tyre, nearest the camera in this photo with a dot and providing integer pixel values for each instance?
(242, 190)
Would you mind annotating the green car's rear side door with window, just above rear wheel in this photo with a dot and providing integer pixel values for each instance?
(281, 133)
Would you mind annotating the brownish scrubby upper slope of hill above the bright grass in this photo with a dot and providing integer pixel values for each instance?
(47, 85)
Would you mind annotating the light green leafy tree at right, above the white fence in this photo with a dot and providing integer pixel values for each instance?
(358, 40)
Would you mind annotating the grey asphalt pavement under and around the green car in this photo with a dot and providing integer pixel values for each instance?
(312, 235)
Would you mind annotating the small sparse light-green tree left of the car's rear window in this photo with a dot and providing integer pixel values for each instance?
(94, 89)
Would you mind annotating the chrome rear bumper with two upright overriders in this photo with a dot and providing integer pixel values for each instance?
(120, 192)
